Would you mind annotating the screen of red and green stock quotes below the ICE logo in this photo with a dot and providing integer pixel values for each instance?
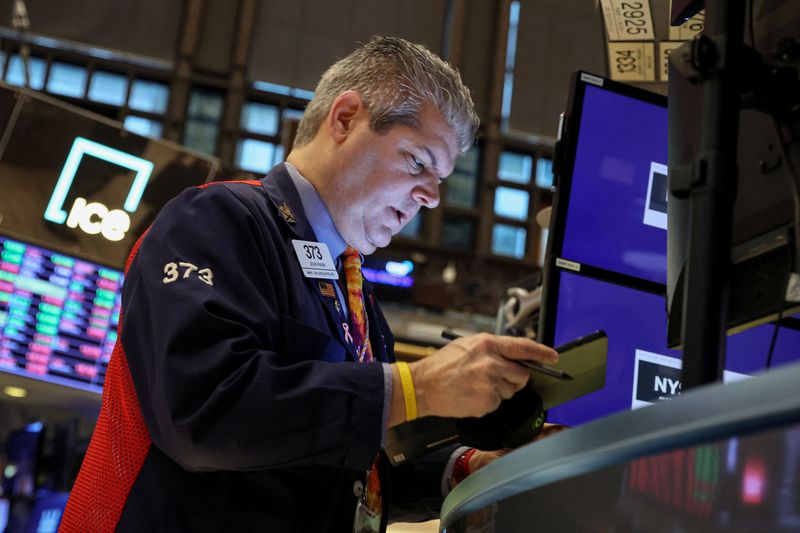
(58, 315)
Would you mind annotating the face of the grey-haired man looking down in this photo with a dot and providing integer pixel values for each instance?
(383, 179)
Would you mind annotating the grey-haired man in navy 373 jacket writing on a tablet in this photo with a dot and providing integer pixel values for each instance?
(249, 389)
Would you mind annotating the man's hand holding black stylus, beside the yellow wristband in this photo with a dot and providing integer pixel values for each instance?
(472, 375)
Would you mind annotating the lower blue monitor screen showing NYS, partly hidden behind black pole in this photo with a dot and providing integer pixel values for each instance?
(641, 369)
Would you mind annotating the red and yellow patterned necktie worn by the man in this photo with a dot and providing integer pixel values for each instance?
(371, 500)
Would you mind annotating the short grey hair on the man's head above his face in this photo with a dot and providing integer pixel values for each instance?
(394, 79)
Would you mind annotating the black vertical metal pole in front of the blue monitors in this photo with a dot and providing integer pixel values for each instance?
(713, 191)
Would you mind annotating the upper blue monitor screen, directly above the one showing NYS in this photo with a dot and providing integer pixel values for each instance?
(616, 213)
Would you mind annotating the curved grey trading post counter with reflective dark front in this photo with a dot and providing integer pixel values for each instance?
(717, 458)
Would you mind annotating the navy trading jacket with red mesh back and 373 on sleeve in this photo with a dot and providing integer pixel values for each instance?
(232, 401)
